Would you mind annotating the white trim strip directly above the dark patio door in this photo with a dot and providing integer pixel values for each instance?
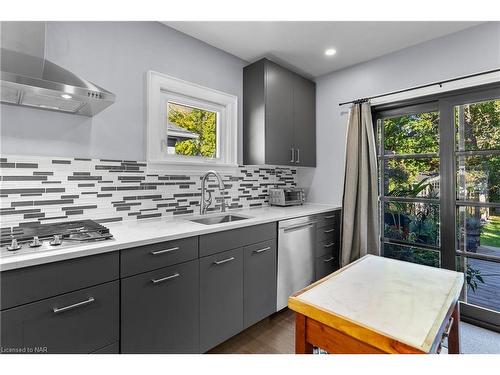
(450, 86)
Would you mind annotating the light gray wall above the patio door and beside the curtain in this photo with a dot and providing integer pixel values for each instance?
(469, 51)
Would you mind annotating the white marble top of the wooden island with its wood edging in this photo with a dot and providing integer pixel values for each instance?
(403, 301)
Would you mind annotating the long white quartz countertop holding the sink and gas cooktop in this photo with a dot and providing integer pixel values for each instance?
(147, 231)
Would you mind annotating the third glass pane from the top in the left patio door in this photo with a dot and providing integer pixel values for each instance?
(412, 222)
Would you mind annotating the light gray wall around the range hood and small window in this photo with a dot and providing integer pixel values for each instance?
(116, 56)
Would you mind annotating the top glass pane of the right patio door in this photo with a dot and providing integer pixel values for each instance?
(477, 126)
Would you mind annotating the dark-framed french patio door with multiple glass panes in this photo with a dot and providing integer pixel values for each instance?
(439, 184)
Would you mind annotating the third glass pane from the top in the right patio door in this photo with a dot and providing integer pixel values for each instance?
(478, 230)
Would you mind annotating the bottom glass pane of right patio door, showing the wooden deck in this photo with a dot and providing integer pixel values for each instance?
(483, 282)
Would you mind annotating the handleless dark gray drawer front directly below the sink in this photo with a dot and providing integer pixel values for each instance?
(231, 239)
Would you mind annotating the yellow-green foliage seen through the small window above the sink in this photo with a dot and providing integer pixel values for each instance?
(203, 123)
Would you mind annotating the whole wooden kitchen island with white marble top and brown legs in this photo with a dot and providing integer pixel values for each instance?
(379, 305)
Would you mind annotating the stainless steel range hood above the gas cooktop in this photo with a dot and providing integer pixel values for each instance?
(28, 79)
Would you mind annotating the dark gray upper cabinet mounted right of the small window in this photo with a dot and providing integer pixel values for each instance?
(279, 116)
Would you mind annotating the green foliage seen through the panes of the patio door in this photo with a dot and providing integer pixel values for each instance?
(418, 222)
